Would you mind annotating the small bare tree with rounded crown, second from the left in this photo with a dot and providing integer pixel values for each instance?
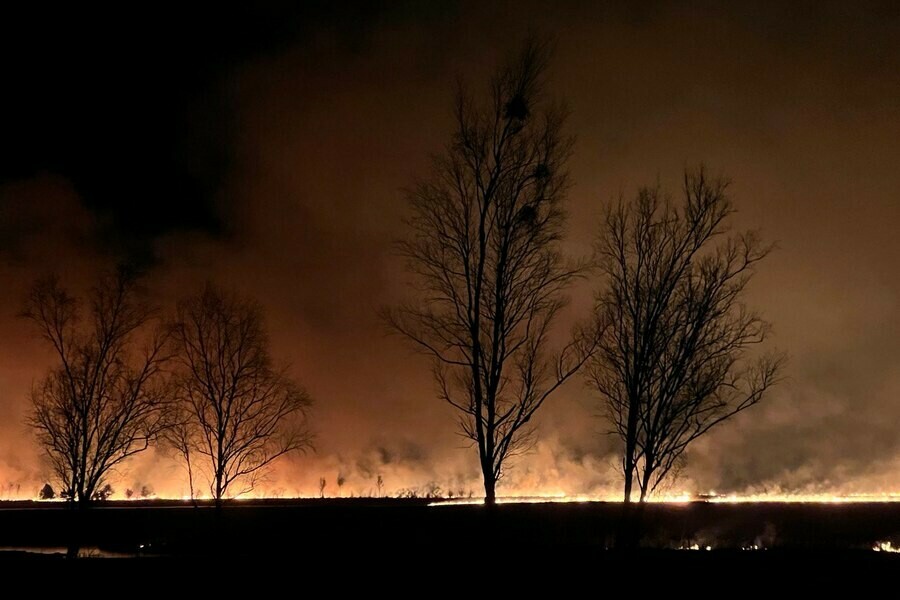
(239, 413)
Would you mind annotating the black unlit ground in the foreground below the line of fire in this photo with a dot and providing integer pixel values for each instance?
(405, 548)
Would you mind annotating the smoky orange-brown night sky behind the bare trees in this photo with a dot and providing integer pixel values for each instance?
(268, 151)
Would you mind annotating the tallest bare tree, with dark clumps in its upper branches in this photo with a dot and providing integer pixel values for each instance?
(484, 249)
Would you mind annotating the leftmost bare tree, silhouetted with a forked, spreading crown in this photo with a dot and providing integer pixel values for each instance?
(104, 399)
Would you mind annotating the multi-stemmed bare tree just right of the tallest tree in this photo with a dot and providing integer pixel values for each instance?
(674, 358)
